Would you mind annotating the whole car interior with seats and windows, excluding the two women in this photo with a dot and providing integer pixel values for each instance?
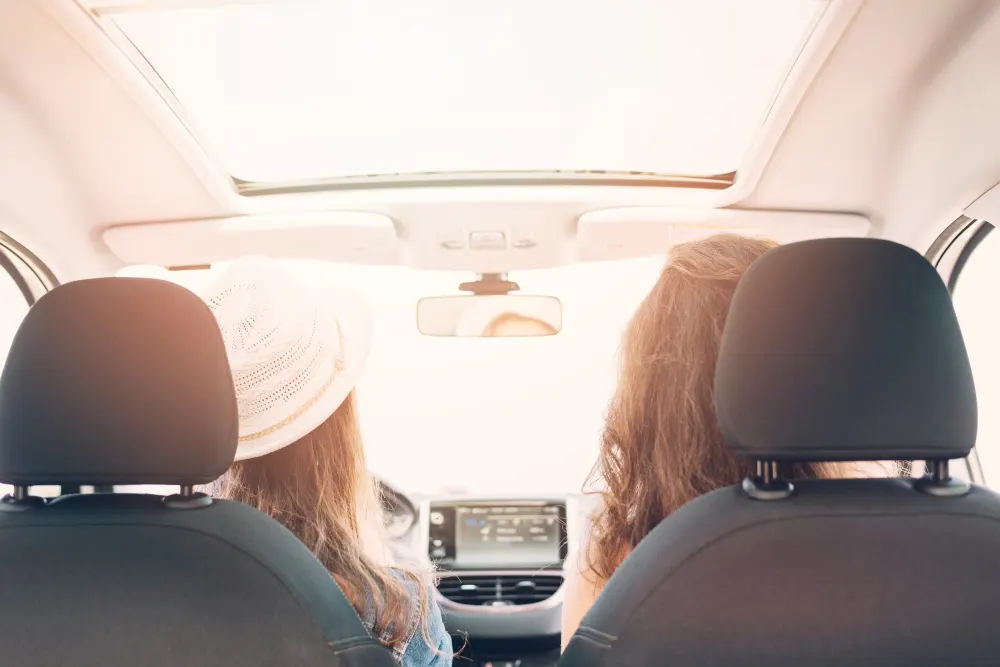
(447, 159)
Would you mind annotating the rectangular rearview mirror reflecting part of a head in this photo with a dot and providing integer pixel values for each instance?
(492, 316)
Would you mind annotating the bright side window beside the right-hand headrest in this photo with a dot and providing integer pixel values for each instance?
(978, 307)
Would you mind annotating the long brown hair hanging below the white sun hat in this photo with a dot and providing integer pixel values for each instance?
(318, 487)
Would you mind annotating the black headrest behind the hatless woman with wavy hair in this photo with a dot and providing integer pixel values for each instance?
(844, 349)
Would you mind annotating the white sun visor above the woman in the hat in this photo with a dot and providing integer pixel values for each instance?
(340, 236)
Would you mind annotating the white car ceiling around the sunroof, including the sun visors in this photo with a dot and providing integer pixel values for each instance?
(886, 126)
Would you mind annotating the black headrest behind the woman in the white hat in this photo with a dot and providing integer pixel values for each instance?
(117, 381)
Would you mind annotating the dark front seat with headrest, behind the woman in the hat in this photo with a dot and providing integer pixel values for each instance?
(125, 381)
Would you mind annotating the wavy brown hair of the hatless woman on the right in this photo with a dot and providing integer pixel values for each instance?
(661, 446)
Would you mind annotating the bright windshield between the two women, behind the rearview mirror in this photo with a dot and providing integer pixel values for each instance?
(483, 415)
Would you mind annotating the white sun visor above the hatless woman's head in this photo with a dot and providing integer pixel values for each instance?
(621, 233)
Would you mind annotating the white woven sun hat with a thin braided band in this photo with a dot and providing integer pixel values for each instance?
(295, 352)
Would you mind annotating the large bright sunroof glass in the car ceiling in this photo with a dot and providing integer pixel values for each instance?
(289, 90)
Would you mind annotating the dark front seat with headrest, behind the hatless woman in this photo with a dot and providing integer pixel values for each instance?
(836, 349)
